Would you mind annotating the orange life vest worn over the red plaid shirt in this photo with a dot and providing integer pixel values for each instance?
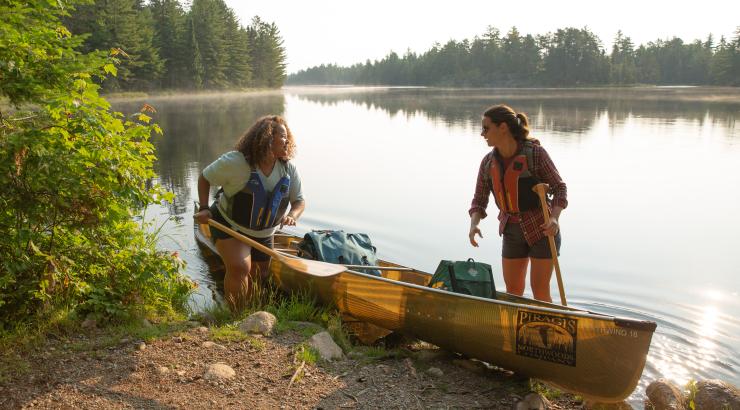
(512, 187)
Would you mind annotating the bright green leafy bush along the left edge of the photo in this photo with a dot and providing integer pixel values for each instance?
(74, 177)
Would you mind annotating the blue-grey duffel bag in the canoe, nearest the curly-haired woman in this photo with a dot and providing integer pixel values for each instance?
(340, 247)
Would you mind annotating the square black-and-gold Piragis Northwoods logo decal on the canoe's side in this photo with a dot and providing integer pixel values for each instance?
(546, 337)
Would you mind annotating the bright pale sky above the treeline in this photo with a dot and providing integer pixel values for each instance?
(346, 32)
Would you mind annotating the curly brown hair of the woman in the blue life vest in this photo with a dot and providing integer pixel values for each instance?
(256, 143)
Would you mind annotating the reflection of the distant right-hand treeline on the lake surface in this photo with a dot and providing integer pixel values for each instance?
(550, 110)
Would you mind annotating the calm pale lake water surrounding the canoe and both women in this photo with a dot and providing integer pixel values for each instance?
(653, 178)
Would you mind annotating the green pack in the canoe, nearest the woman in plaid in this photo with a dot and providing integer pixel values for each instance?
(466, 277)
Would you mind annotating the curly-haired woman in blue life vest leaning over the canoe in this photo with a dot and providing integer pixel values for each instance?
(260, 191)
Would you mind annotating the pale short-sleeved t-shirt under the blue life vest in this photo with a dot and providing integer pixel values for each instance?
(231, 172)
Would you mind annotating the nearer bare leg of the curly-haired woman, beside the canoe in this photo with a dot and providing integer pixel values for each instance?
(237, 260)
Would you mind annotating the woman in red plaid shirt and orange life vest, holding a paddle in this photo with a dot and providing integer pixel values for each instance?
(520, 222)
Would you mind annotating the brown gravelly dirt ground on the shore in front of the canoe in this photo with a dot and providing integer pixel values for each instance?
(168, 373)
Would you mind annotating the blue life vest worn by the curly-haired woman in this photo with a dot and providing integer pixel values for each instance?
(255, 208)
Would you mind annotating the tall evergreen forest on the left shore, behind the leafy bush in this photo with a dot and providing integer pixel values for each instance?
(160, 45)
